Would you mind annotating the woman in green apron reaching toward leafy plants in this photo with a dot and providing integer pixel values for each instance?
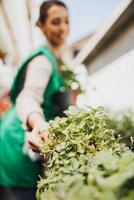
(34, 95)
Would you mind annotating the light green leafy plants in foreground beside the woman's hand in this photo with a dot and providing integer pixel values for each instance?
(84, 161)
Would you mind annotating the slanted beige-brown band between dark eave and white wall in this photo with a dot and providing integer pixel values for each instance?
(123, 43)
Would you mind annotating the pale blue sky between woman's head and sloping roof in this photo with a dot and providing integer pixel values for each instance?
(87, 16)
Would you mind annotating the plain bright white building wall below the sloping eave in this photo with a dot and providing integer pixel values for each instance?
(113, 85)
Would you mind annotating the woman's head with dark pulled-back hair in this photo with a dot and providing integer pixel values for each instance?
(56, 27)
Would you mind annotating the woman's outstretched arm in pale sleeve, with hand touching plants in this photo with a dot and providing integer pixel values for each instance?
(30, 99)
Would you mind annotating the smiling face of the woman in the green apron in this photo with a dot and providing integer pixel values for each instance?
(56, 26)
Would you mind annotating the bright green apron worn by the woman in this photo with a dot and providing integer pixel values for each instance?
(16, 169)
